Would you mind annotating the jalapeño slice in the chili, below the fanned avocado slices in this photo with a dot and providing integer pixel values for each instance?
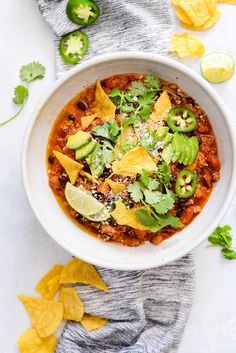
(186, 183)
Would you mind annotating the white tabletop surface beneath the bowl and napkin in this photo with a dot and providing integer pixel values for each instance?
(26, 252)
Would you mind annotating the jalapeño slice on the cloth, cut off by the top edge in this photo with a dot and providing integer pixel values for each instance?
(82, 12)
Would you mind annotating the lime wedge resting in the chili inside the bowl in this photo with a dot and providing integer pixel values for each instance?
(81, 201)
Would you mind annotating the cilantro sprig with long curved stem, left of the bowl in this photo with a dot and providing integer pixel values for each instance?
(28, 73)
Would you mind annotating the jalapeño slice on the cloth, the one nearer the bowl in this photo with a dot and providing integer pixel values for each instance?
(73, 46)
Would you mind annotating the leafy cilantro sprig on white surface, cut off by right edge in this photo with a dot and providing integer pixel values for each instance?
(222, 237)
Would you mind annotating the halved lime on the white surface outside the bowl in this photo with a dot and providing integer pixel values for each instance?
(217, 67)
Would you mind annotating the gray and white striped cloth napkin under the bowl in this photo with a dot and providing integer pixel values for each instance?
(147, 310)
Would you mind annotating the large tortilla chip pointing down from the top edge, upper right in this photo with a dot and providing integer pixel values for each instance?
(199, 11)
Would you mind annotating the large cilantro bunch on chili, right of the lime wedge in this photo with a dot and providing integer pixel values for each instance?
(147, 190)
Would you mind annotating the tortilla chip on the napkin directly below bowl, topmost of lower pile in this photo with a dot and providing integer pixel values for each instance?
(78, 271)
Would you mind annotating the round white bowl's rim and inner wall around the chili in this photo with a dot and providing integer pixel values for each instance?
(44, 204)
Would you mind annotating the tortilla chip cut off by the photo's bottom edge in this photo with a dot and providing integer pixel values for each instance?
(31, 342)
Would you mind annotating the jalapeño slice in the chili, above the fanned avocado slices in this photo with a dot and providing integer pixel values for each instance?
(182, 120)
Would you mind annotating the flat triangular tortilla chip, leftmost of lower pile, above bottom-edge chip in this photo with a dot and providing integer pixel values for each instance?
(46, 315)
